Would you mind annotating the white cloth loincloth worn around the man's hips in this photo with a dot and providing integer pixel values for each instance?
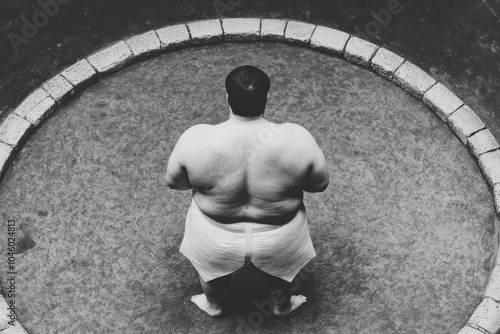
(217, 249)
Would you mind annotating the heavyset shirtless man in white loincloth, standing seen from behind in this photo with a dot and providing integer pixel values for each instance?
(248, 176)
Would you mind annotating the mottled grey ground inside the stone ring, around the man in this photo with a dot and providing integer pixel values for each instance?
(404, 234)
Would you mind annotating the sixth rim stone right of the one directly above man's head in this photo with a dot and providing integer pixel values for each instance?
(413, 79)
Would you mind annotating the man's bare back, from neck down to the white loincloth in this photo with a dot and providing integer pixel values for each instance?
(250, 169)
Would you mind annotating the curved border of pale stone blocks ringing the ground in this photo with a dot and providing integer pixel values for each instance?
(462, 120)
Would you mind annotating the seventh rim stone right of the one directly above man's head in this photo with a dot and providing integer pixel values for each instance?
(442, 101)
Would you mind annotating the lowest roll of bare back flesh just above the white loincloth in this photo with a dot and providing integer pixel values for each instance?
(227, 214)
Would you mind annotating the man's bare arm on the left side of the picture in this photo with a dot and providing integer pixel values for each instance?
(177, 176)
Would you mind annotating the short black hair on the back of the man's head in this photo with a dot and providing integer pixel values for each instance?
(247, 88)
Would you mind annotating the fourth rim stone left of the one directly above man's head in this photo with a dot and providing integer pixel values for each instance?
(112, 58)
